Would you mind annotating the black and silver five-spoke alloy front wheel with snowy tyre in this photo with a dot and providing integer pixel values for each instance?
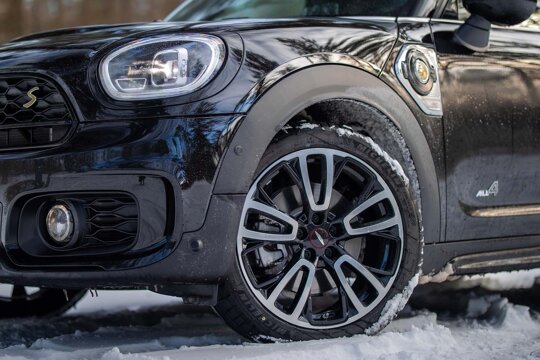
(321, 242)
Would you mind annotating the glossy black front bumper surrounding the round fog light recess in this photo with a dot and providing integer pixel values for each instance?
(167, 165)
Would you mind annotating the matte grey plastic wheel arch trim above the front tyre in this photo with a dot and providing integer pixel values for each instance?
(300, 90)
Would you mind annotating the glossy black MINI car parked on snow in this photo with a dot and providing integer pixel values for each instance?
(299, 165)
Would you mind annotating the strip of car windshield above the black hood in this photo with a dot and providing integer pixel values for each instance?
(210, 10)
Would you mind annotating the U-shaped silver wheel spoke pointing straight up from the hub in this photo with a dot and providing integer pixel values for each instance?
(326, 186)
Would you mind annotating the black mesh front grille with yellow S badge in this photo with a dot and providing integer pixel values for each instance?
(45, 122)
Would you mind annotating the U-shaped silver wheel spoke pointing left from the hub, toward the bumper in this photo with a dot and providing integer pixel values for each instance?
(276, 215)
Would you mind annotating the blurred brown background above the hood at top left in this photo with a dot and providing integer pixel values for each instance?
(20, 17)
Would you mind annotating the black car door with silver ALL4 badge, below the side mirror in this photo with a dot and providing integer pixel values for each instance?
(492, 133)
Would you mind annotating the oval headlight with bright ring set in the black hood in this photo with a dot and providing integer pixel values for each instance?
(162, 67)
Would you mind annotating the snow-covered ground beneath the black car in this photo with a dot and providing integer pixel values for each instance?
(143, 325)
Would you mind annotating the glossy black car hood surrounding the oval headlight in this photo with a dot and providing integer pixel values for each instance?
(71, 58)
